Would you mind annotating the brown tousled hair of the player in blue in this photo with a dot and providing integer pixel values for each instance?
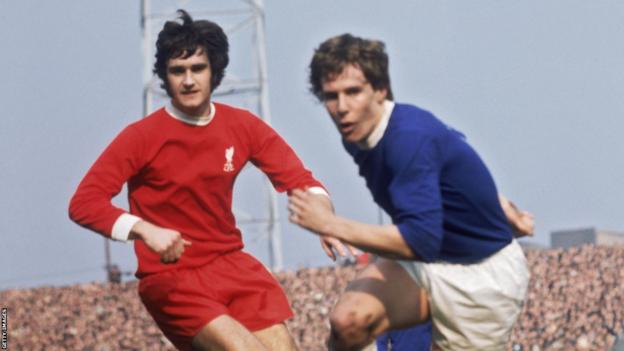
(331, 57)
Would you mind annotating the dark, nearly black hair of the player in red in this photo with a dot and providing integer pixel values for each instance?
(182, 40)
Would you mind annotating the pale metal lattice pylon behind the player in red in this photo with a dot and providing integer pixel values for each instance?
(246, 84)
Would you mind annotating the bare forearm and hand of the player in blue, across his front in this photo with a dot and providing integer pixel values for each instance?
(384, 240)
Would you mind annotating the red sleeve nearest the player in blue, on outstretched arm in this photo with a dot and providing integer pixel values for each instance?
(278, 161)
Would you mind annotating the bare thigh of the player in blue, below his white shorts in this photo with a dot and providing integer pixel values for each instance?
(385, 294)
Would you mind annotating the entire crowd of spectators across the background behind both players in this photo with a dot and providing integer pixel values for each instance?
(575, 302)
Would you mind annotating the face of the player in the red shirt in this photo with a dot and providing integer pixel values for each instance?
(189, 83)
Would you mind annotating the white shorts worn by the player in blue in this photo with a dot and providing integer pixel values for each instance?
(474, 306)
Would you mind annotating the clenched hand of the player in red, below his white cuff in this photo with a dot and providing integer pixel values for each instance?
(168, 243)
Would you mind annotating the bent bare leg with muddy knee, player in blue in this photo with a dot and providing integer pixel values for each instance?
(382, 297)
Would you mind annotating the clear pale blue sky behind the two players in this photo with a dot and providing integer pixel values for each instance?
(537, 87)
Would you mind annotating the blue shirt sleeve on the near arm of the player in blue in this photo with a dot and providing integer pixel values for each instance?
(415, 193)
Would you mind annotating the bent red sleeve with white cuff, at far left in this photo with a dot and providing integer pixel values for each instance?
(91, 205)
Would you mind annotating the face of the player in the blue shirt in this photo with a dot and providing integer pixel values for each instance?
(353, 104)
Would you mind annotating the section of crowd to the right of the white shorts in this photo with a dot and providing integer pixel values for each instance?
(575, 300)
